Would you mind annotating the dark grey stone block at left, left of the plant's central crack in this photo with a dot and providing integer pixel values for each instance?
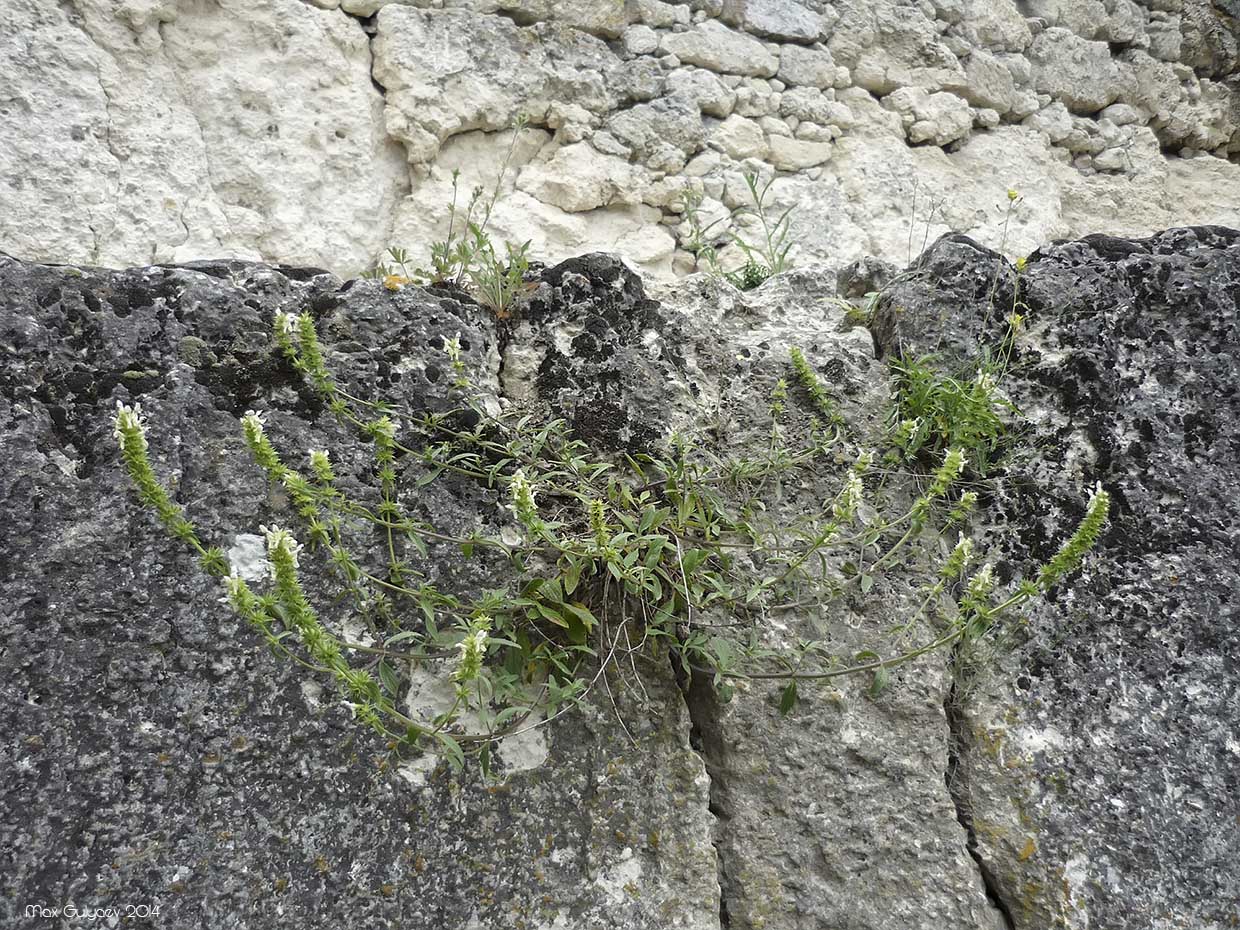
(154, 756)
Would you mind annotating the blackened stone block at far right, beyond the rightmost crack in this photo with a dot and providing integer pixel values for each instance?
(1099, 762)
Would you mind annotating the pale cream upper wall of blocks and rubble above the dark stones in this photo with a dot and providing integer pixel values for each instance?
(156, 131)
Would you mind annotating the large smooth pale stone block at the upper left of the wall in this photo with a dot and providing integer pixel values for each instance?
(152, 137)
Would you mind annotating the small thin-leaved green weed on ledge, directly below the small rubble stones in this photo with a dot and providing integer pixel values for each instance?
(767, 256)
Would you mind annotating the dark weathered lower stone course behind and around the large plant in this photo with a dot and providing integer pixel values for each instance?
(154, 756)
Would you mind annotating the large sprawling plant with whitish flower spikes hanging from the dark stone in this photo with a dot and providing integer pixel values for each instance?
(614, 567)
